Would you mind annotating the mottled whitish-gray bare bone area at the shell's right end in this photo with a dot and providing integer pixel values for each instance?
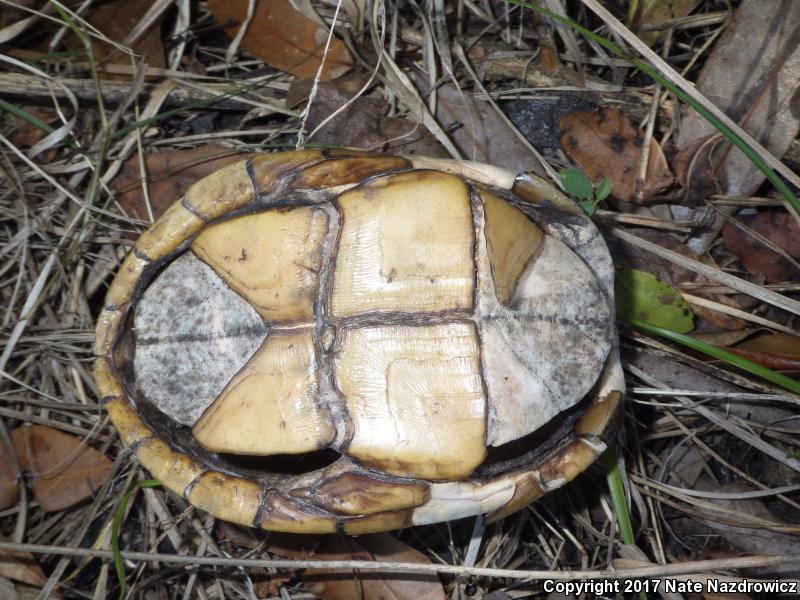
(546, 356)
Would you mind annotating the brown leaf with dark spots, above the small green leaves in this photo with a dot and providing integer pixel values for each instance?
(606, 144)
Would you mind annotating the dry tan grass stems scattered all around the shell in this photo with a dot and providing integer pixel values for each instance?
(690, 448)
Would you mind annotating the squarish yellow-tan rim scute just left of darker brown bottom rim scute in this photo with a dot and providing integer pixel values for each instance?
(226, 497)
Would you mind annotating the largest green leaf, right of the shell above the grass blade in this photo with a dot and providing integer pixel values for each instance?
(640, 296)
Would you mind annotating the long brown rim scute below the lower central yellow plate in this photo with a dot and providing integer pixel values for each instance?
(359, 493)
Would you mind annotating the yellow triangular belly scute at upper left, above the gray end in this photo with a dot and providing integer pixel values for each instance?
(271, 258)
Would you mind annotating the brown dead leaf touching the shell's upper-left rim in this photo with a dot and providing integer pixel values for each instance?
(169, 175)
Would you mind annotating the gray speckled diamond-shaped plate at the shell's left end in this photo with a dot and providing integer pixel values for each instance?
(193, 334)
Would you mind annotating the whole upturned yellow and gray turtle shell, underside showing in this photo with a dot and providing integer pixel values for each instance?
(321, 341)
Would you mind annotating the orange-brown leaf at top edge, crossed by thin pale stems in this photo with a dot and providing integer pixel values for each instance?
(284, 38)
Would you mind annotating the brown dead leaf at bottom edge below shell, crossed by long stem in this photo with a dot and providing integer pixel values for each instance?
(347, 585)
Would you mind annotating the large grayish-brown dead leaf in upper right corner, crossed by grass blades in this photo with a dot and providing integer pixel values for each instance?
(752, 74)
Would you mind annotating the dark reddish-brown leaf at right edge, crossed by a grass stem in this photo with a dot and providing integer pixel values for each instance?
(781, 229)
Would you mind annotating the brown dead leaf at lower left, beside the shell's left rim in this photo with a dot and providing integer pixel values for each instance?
(64, 469)
